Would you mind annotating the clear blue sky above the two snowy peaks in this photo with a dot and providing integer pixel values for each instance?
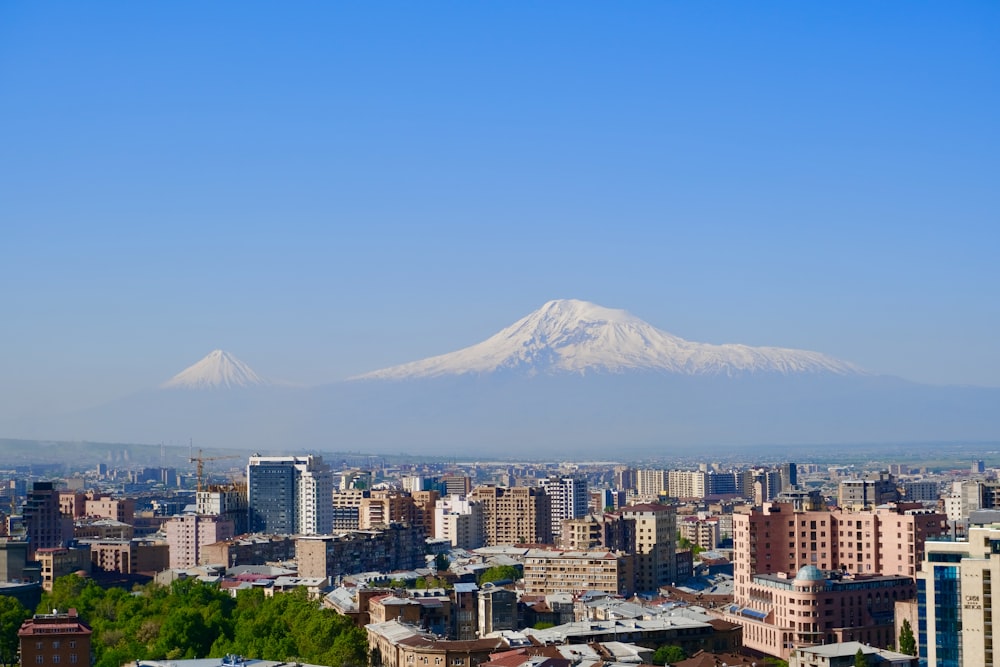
(328, 188)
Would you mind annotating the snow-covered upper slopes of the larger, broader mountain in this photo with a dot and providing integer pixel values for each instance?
(577, 337)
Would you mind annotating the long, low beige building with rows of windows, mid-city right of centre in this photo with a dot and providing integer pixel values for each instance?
(550, 571)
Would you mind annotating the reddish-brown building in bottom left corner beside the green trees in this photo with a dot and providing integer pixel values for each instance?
(55, 639)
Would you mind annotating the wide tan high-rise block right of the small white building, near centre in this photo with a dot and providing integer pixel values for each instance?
(514, 515)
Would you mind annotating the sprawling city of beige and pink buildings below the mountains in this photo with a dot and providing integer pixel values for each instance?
(507, 562)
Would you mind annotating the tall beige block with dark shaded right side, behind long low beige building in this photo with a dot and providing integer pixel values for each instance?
(652, 538)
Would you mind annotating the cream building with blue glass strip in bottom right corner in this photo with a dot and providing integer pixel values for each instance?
(955, 600)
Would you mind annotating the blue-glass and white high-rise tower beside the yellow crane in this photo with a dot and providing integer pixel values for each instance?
(289, 495)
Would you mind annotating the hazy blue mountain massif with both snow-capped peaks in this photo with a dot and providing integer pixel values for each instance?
(572, 379)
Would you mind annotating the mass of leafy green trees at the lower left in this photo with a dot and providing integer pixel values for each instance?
(189, 619)
